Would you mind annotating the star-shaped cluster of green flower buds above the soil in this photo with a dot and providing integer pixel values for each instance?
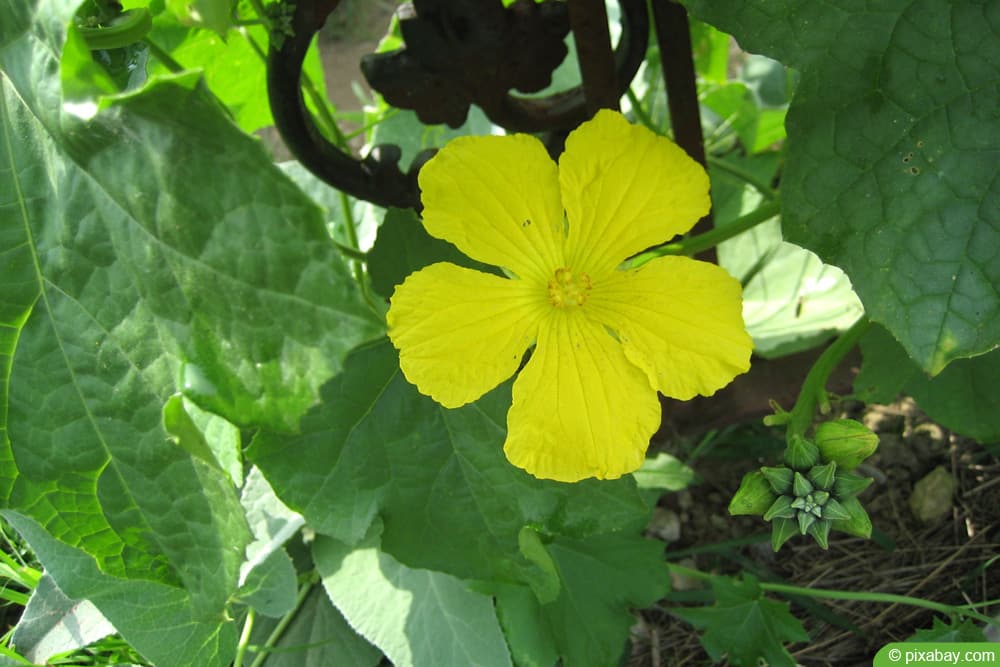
(815, 491)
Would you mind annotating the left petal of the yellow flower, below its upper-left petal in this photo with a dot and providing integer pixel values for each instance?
(461, 332)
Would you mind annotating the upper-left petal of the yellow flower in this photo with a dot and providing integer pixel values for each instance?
(497, 199)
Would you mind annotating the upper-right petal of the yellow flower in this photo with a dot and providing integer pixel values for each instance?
(625, 189)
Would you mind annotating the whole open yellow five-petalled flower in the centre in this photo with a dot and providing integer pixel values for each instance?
(606, 339)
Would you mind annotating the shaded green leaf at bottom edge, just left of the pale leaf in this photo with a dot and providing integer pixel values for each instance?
(318, 636)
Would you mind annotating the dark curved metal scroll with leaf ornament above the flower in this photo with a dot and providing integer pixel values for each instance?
(459, 52)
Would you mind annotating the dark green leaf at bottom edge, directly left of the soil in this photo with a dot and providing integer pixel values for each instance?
(602, 577)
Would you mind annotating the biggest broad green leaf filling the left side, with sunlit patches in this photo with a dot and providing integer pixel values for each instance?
(150, 248)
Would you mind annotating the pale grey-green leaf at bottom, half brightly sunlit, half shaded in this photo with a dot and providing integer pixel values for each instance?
(416, 617)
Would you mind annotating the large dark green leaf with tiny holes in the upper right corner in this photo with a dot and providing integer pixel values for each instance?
(893, 142)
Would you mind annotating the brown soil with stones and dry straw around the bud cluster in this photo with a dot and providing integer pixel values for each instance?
(938, 560)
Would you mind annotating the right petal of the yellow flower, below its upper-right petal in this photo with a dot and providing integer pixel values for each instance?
(680, 321)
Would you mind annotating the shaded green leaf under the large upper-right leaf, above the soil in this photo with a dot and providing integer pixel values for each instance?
(962, 397)
